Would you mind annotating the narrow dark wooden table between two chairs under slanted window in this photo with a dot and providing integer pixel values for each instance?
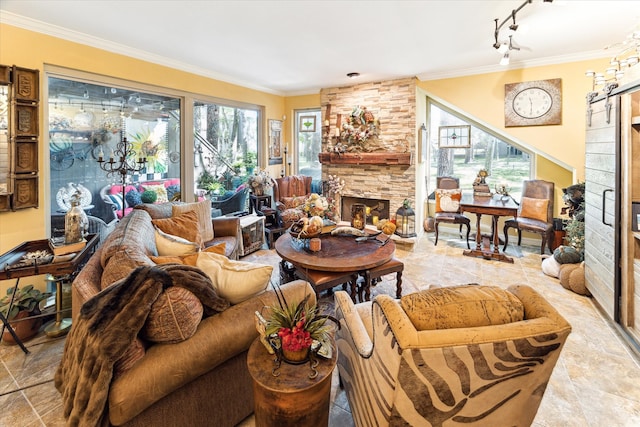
(496, 207)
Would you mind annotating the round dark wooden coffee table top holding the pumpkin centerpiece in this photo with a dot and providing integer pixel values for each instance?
(337, 253)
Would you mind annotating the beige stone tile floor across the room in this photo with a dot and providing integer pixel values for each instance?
(595, 383)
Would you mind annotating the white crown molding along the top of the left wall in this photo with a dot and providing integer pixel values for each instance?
(81, 38)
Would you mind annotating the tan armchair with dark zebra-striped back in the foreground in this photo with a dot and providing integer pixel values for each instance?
(465, 355)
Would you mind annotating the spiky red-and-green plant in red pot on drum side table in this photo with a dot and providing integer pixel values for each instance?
(295, 327)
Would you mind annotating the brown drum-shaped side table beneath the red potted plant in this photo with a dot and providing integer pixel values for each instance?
(292, 398)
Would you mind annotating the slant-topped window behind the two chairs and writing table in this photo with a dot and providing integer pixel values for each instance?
(461, 148)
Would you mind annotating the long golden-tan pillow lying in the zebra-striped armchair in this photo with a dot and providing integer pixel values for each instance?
(463, 306)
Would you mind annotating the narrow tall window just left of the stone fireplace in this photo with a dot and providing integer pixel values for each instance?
(309, 142)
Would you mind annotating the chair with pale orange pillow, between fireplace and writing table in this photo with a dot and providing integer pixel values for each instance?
(448, 195)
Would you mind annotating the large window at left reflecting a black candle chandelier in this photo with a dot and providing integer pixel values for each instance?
(88, 120)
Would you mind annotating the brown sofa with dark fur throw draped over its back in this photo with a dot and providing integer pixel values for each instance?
(200, 381)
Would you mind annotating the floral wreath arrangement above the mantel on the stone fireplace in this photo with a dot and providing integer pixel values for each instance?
(356, 134)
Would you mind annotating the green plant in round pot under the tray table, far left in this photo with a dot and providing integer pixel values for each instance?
(25, 303)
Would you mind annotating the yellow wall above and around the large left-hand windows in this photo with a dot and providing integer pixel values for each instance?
(34, 50)
